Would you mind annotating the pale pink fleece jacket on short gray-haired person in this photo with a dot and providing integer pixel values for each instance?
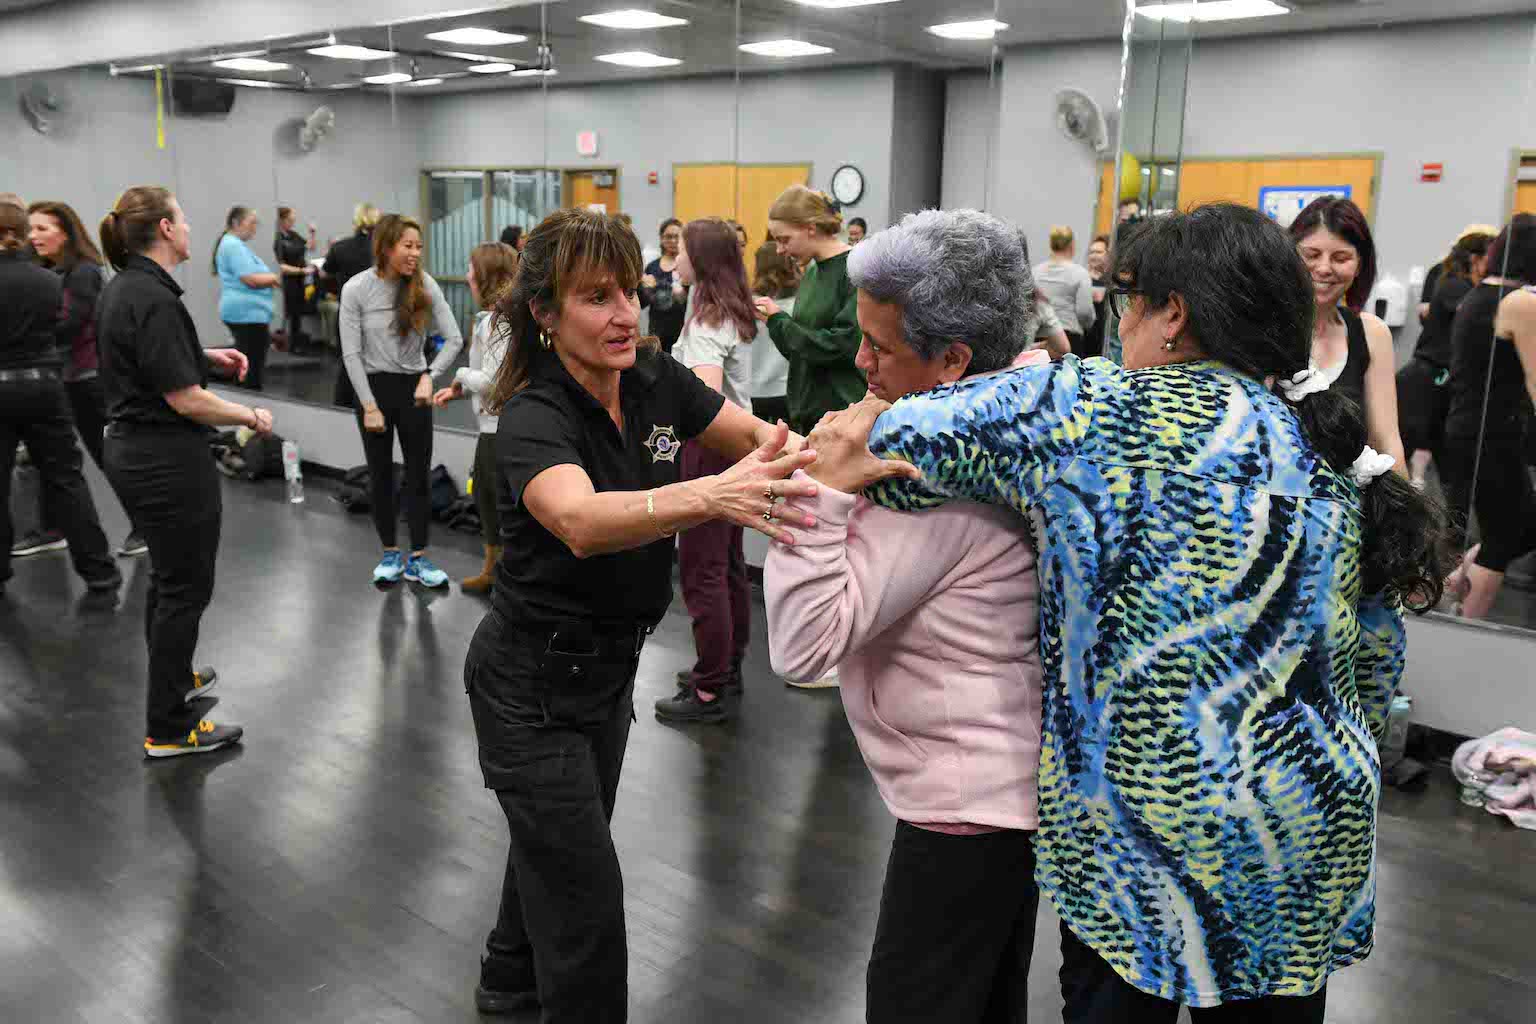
(933, 624)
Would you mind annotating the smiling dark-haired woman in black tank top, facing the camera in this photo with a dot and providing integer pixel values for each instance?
(1352, 349)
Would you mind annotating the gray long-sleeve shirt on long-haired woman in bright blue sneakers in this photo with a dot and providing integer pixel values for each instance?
(371, 343)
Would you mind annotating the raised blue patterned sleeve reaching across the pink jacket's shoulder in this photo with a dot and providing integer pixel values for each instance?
(999, 440)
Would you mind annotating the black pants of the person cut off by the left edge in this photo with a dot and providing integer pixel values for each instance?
(38, 414)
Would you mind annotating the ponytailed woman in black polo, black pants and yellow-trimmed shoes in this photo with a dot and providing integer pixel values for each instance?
(154, 372)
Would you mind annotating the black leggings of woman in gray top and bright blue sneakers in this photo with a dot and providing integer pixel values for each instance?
(397, 398)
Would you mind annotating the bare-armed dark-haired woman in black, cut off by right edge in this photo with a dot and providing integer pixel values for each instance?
(1494, 351)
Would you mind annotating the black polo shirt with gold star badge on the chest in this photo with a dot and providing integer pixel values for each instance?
(557, 421)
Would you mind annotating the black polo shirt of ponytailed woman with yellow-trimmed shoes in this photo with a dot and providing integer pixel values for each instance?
(148, 345)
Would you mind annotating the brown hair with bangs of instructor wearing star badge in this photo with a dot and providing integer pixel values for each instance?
(568, 251)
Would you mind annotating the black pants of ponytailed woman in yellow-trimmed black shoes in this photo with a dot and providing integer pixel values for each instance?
(171, 489)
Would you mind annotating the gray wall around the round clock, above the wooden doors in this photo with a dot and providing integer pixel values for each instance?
(827, 119)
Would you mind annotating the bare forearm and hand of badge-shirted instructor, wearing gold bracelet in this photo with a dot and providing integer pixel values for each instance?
(601, 523)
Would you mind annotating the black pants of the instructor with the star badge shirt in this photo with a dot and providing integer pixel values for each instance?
(552, 733)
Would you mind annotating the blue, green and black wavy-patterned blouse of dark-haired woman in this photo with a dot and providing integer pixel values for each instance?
(1210, 776)
